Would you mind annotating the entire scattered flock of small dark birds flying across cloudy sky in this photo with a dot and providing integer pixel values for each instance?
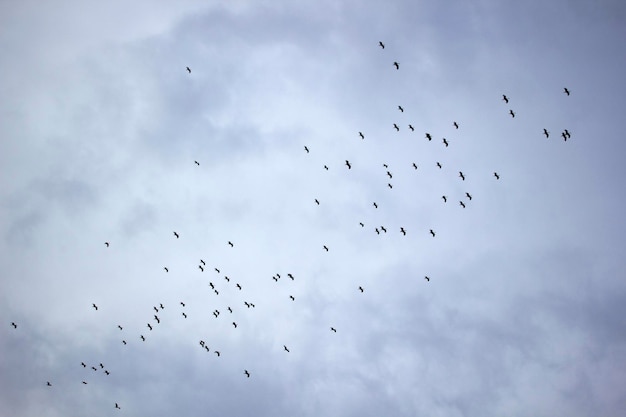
(159, 308)
